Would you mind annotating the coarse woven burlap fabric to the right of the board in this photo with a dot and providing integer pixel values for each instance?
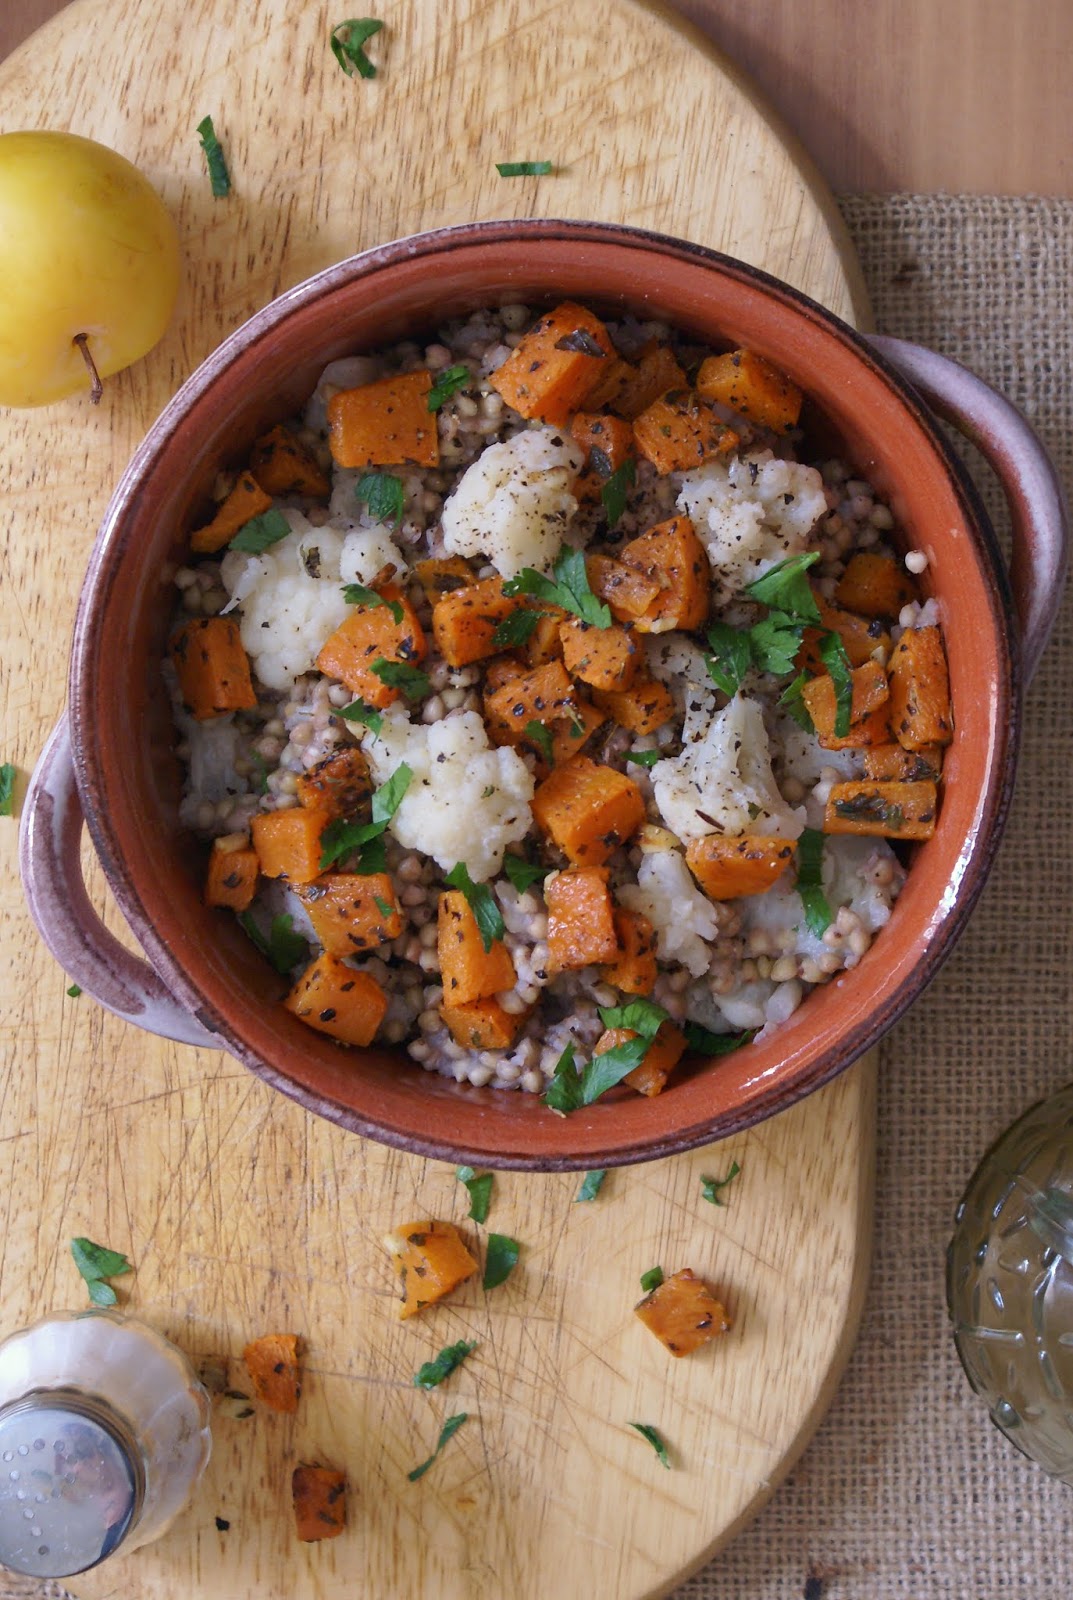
(907, 1490)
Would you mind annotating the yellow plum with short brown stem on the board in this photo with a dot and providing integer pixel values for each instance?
(89, 257)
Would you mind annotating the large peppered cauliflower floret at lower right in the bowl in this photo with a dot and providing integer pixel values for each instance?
(725, 775)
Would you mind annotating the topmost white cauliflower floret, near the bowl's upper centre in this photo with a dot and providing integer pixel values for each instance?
(514, 503)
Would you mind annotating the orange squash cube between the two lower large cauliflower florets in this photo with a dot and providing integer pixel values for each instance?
(588, 810)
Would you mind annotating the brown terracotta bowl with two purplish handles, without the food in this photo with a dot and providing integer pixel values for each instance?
(122, 740)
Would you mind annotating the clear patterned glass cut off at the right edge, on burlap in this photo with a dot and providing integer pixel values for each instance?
(1010, 1284)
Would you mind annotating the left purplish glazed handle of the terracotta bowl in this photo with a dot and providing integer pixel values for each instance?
(50, 863)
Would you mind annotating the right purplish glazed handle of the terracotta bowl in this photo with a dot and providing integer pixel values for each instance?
(1032, 487)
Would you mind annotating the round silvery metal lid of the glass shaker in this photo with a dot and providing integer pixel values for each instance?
(71, 1482)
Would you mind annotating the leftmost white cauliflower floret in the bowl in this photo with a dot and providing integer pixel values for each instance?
(292, 599)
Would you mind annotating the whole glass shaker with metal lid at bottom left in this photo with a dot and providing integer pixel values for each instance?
(103, 1439)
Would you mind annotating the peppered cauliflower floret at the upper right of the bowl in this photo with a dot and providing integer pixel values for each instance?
(751, 513)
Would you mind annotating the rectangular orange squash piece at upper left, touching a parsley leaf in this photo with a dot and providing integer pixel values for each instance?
(385, 425)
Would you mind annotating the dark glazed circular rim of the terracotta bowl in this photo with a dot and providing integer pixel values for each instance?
(108, 554)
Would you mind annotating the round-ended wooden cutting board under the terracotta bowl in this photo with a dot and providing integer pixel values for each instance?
(241, 1212)
